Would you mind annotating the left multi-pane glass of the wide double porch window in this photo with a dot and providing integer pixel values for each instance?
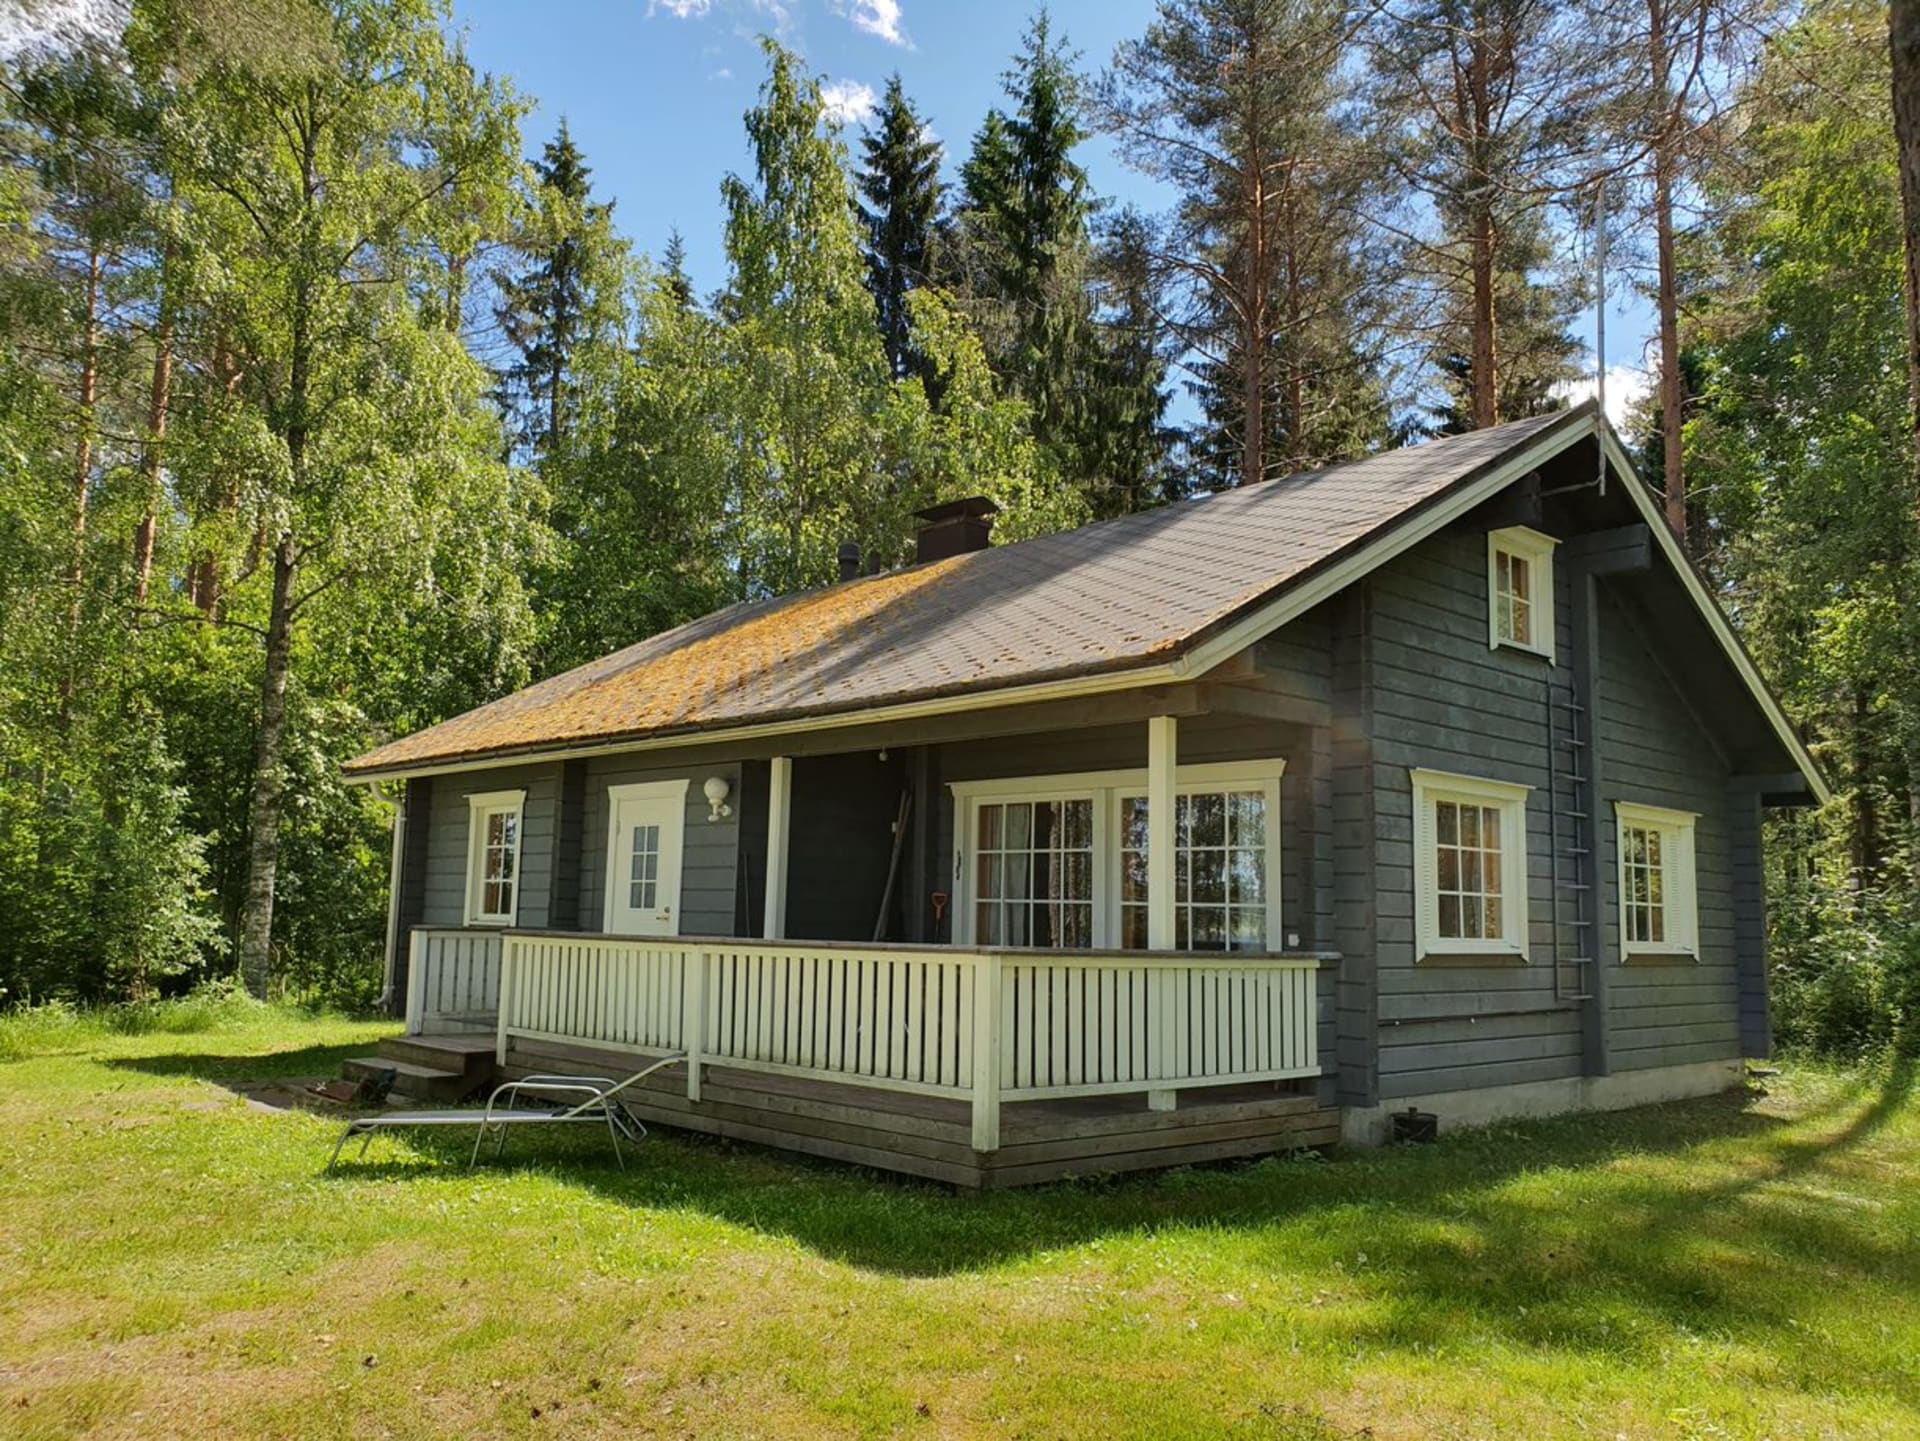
(1034, 874)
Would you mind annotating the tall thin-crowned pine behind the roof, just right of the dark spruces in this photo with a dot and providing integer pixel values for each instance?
(1241, 105)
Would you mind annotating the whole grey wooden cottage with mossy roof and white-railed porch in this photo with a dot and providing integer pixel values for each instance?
(1424, 782)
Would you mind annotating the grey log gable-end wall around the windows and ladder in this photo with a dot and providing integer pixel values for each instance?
(1420, 688)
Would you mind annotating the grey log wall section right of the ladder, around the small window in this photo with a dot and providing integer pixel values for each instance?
(1668, 1010)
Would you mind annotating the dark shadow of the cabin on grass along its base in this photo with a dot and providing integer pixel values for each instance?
(919, 1229)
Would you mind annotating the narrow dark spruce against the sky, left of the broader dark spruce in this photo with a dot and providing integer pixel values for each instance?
(901, 185)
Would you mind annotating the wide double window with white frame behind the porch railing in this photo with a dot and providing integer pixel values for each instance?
(1061, 861)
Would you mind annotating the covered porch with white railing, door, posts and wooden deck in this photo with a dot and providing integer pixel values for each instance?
(1061, 991)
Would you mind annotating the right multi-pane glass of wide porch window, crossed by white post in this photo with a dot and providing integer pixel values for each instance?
(1220, 870)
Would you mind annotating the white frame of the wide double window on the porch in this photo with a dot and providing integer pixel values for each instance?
(1105, 791)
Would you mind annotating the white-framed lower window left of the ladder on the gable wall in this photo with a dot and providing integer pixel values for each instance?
(1470, 866)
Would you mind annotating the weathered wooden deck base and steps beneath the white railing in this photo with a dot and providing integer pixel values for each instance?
(932, 1137)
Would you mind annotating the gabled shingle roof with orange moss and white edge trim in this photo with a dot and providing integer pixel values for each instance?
(1145, 600)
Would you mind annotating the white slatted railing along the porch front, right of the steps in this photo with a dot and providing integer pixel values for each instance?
(986, 1028)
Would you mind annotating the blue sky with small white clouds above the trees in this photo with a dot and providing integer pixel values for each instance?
(656, 93)
